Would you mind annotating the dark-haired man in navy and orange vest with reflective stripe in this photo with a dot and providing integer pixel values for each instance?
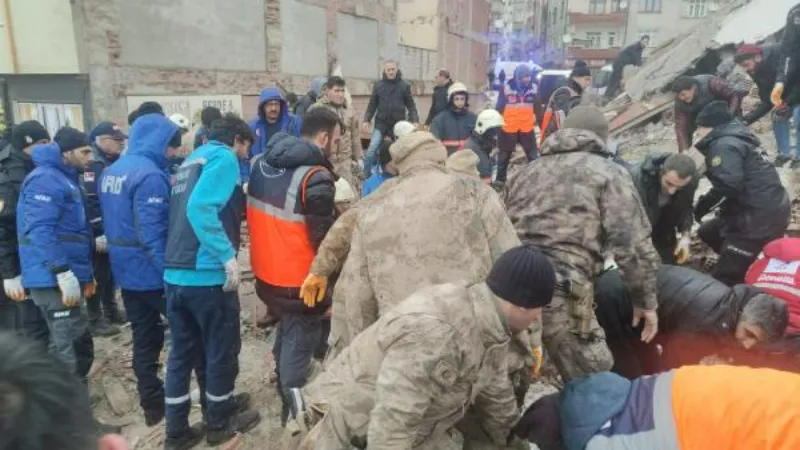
(290, 209)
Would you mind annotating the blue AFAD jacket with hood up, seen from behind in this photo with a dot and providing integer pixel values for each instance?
(134, 196)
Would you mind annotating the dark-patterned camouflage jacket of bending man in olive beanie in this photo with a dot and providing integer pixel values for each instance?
(577, 205)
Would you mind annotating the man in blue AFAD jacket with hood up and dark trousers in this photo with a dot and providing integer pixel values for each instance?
(134, 197)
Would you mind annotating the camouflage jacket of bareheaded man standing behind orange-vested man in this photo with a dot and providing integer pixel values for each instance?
(346, 156)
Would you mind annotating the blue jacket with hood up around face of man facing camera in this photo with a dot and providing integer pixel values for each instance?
(262, 132)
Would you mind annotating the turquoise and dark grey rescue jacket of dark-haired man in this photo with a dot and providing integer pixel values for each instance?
(205, 217)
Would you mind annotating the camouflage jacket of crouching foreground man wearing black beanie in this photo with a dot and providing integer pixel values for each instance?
(413, 374)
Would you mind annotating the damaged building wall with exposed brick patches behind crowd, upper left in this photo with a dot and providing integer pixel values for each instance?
(187, 54)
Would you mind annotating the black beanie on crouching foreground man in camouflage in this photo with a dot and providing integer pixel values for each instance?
(523, 276)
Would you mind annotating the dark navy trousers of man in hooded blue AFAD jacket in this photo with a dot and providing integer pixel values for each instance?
(144, 310)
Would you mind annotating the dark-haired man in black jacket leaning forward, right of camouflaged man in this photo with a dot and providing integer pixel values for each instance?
(666, 184)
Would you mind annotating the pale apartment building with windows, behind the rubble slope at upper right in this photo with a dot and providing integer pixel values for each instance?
(599, 29)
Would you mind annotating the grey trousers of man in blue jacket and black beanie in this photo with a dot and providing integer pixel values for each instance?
(66, 325)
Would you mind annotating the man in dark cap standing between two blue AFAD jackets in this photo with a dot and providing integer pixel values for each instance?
(107, 141)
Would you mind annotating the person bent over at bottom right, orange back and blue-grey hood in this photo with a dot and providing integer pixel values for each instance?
(694, 407)
